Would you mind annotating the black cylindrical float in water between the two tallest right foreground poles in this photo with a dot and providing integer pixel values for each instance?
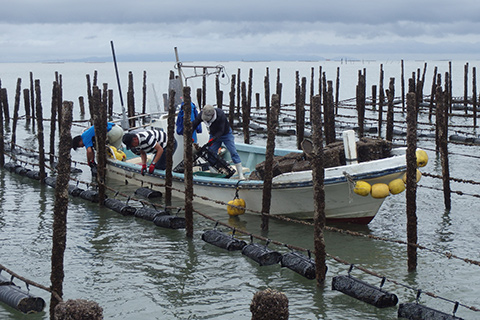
(363, 291)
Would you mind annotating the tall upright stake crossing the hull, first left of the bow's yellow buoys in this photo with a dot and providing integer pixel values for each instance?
(318, 175)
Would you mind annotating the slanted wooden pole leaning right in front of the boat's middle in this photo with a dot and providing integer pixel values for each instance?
(267, 181)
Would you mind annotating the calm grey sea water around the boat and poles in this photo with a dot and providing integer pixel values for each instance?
(136, 270)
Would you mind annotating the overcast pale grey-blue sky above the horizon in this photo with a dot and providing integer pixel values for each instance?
(65, 30)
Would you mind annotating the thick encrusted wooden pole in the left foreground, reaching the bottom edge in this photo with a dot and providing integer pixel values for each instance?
(59, 226)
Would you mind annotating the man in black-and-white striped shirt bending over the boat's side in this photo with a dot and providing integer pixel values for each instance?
(149, 141)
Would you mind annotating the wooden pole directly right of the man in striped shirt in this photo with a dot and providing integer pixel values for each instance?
(170, 149)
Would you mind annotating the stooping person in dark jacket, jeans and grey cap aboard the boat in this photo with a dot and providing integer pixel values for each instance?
(220, 132)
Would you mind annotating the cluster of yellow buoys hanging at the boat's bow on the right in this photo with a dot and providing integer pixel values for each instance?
(396, 186)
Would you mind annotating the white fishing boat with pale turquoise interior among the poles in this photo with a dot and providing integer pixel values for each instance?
(292, 192)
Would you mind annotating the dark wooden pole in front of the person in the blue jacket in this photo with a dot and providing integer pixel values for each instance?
(188, 160)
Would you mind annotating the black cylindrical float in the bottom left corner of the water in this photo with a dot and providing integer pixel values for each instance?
(18, 299)
